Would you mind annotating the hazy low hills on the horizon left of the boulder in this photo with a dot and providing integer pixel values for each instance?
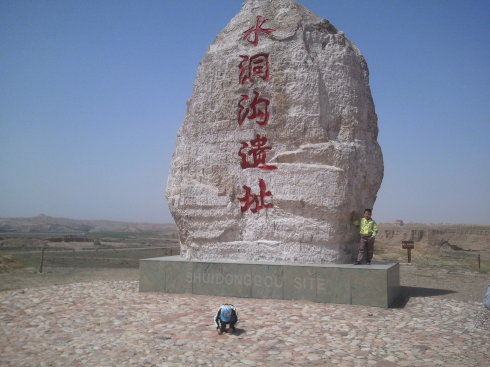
(46, 224)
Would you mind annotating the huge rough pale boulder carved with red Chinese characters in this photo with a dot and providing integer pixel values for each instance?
(278, 144)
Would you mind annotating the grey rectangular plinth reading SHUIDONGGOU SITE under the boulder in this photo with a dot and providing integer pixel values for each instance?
(370, 285)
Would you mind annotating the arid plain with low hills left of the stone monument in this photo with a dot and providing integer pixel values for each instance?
(43, 250)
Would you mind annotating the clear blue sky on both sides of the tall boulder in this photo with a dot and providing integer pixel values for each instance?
(92, 94)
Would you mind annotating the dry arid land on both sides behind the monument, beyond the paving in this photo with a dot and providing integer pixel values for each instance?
(451, 261)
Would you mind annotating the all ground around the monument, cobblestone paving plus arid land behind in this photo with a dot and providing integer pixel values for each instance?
(80, 305)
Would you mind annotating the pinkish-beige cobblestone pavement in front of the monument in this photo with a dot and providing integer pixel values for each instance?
(109, 323)
